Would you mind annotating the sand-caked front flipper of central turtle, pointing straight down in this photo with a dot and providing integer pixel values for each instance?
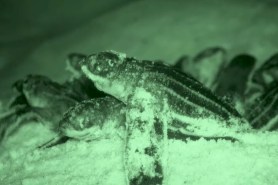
(146, 143)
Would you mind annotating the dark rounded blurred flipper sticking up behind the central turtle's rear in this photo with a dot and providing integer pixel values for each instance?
(233, 79)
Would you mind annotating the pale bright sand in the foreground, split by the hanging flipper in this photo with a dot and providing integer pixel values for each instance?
(251, 161)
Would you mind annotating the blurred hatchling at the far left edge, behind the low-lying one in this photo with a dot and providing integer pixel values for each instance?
(39, 99)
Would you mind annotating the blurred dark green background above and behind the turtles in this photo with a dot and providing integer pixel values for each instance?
(36, 36)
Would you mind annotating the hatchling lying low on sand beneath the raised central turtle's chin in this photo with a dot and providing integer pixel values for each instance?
(92, 119)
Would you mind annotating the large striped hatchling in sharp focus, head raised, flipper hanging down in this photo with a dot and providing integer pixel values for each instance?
(158, 98)
